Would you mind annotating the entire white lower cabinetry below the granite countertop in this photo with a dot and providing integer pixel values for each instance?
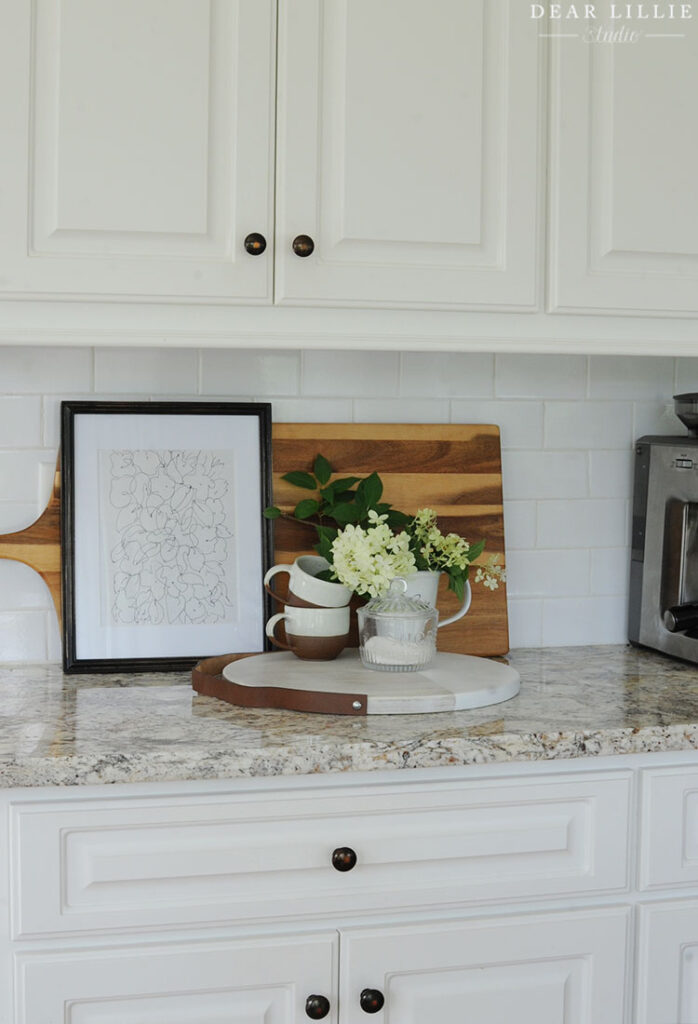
(477, 895)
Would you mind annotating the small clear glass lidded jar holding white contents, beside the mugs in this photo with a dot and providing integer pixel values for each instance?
(398, 633)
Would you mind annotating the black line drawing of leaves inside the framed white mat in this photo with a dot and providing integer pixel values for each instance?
(169, 537)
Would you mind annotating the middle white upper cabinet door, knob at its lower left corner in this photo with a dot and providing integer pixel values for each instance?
(409, 151)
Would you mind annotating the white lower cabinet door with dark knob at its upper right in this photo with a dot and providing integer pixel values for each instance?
(256, 982)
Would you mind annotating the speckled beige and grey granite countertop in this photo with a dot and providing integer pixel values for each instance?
(575, 702)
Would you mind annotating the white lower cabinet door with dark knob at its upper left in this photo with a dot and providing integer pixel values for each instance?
(553, 969)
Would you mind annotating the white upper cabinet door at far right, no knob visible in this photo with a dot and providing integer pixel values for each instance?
(625, 150)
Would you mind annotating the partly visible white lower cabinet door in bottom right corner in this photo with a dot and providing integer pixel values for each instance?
(668, 964)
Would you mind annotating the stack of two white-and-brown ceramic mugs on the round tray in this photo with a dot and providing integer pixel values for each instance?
(316, 612)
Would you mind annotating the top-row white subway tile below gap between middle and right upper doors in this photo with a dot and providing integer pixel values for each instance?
(541, 376)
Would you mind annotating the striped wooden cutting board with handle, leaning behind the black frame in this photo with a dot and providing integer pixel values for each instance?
(456, 471)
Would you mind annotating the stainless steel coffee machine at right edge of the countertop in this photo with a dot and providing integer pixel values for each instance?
(664, 608)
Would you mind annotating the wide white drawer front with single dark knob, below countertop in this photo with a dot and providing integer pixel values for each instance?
(142, 864)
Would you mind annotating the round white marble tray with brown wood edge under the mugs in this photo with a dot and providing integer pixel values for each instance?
(454, 682)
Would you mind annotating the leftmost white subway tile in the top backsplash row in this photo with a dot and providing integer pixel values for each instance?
(30, 370)
